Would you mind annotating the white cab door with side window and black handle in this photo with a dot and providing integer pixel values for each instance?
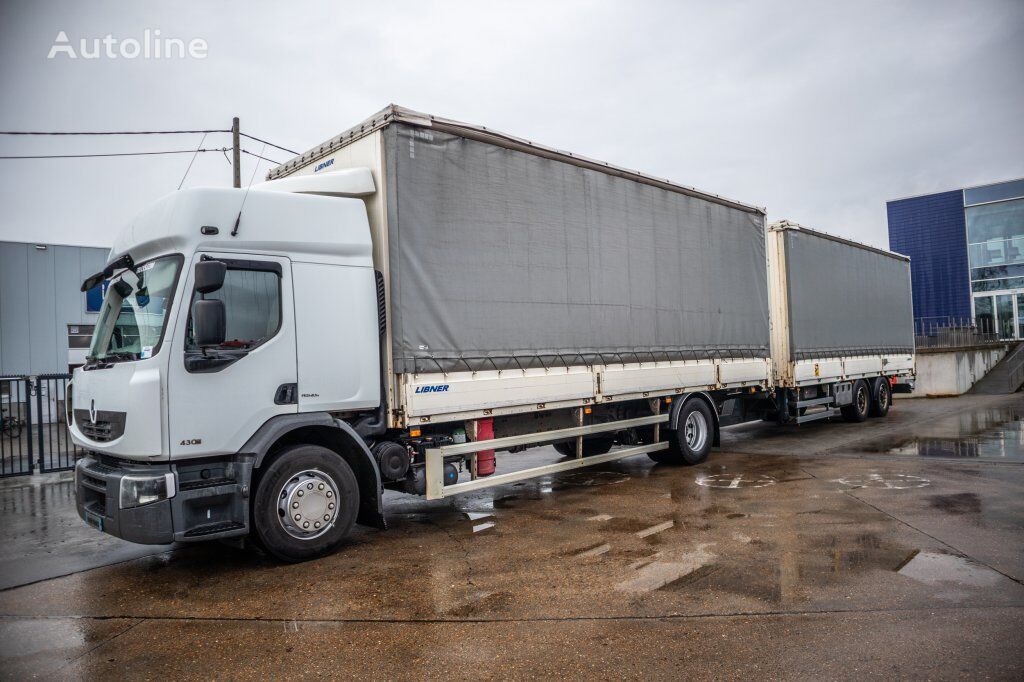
(219, 399)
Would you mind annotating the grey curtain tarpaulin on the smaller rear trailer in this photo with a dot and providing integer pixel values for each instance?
(846, 300)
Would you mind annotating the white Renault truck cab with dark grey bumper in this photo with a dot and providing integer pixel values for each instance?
(214, 352)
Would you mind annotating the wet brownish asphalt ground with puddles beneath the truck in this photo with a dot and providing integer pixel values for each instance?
(890, 548)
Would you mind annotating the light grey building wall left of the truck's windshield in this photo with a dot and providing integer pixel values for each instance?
(39, 297)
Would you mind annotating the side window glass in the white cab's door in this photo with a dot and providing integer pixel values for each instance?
(252, 305)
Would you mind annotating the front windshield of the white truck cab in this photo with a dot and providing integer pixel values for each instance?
(134, 316)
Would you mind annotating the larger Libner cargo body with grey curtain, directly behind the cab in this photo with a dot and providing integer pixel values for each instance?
(523, 280)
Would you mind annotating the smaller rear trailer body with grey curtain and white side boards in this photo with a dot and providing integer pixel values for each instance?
(841, 311)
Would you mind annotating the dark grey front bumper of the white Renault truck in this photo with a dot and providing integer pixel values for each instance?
(211, 500)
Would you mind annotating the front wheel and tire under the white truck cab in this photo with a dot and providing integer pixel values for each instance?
(284, 483)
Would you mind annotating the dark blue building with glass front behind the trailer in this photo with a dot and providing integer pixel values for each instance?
(967, 255)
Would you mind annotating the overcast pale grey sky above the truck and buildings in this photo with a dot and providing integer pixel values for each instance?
(820, 111)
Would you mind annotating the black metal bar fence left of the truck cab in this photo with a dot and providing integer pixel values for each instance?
(34, 436)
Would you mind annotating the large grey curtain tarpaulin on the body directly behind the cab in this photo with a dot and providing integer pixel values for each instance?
(502, 259)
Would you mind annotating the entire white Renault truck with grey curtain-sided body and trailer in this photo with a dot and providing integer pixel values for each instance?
(395, 306)
